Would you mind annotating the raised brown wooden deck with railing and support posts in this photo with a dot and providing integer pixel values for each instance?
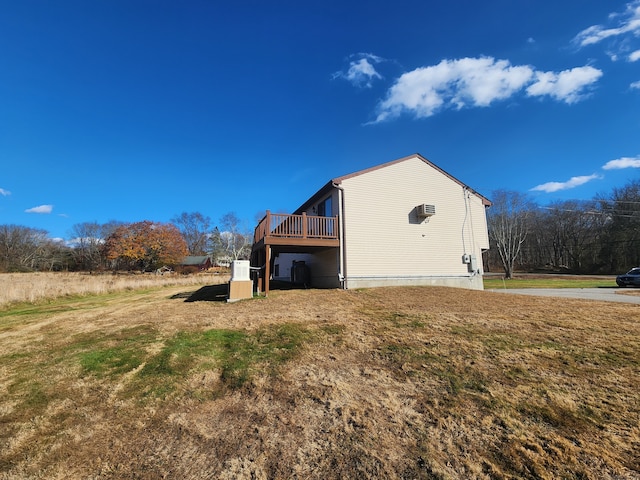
(279, 232)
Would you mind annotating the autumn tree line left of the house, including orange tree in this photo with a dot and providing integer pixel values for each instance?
(144, 245)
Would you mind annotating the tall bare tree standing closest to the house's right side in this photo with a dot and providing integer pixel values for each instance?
(508, 225)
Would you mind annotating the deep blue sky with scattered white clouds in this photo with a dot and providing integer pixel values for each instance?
(140, 110)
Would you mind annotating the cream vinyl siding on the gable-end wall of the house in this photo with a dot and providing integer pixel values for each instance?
(385, 238)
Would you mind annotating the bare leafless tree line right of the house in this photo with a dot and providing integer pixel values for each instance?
(601, 235)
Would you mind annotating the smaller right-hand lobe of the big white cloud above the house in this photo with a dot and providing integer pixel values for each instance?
(567, 86)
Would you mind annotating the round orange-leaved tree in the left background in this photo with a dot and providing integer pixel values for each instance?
(145, 245)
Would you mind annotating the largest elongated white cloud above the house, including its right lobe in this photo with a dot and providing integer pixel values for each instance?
(477, 82)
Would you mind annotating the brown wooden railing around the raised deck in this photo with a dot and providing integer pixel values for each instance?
(296, 227)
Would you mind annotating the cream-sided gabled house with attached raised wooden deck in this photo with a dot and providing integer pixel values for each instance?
(405, 222)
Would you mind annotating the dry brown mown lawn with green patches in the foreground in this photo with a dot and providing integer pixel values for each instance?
(416, 382)
